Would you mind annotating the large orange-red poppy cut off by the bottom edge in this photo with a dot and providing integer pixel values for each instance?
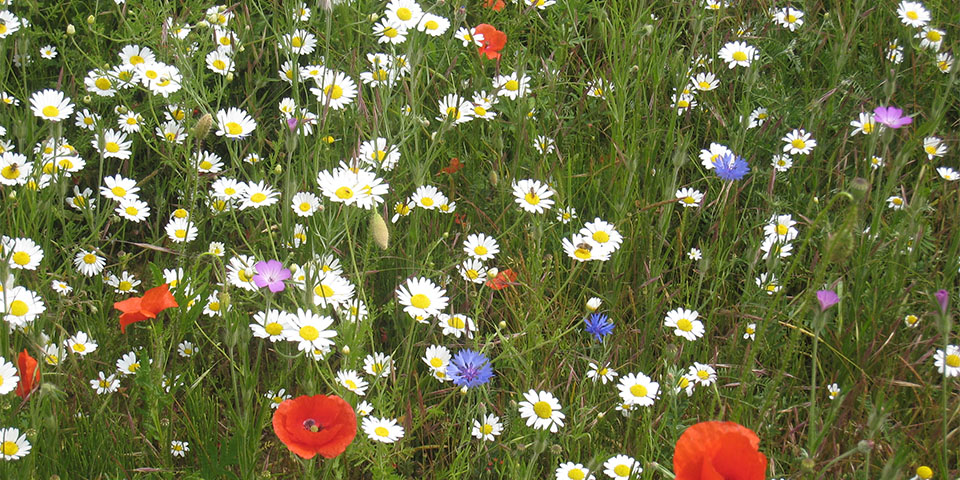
(719, 451)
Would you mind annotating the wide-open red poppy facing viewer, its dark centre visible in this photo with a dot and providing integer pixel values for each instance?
(318, 424)
